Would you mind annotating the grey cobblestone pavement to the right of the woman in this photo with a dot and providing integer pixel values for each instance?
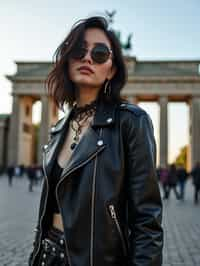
(182, 231)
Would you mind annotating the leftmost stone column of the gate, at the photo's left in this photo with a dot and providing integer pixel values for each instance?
(14, 132)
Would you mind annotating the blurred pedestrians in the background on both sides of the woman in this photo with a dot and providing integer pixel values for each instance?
(172, 178)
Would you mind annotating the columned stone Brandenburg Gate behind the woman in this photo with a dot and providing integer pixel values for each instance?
(158, 81)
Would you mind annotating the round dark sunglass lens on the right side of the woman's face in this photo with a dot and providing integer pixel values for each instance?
(100, 53)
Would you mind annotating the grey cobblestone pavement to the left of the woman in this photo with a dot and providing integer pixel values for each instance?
(18, 212)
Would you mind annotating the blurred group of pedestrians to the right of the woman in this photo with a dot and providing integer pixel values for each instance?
(174, 178)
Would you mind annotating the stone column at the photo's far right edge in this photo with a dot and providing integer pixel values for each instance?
(194, 130)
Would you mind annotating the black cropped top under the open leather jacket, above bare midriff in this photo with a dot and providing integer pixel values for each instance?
(55, 177)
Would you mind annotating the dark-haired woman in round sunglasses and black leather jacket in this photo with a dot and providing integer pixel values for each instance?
(100, 203)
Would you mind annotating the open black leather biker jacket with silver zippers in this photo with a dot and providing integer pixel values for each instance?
(108, 193)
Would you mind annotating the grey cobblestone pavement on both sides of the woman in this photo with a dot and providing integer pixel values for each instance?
(18, 213)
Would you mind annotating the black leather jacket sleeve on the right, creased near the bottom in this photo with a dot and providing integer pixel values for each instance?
(144, 201)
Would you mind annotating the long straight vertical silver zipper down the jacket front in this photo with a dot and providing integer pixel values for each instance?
(92, 209)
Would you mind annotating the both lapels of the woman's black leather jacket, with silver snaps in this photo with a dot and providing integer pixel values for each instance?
(91, 143)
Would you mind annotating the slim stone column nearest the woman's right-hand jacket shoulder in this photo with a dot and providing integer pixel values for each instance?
(163, 101)
